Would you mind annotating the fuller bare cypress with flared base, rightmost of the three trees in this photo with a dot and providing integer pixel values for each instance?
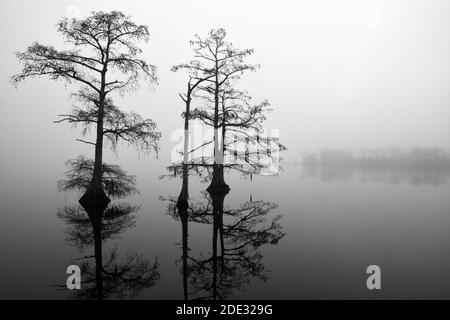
(219, 65)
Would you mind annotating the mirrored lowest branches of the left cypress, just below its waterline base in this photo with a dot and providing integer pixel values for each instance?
(116, 219)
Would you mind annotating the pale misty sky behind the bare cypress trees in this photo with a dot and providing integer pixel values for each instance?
(342, 74)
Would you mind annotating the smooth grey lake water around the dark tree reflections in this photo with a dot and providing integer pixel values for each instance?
(335, 224)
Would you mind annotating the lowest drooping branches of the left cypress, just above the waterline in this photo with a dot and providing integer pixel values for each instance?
(116, 181)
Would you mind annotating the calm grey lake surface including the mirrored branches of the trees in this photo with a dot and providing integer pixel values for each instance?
(296, 235)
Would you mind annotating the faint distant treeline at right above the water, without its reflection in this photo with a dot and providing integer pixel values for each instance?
(434, 157)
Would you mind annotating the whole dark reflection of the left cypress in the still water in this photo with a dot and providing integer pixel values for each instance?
(110, 278)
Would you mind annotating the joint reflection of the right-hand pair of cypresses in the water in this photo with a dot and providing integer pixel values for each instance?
(237, 237)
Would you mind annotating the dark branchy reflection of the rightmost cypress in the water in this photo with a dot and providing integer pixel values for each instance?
(239, 259)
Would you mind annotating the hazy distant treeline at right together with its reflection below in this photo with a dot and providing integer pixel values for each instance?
(416, 166)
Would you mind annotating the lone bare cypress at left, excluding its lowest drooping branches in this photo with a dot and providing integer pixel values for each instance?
(104, 58)
